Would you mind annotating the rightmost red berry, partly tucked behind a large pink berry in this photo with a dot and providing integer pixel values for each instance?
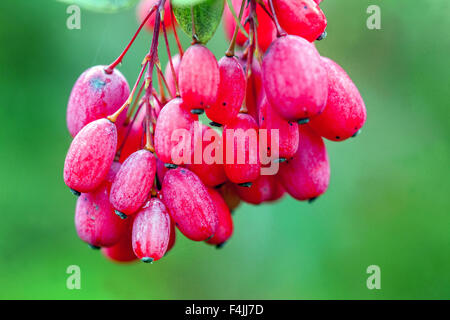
(345, 112)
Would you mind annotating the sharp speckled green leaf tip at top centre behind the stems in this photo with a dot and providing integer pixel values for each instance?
(207, 16)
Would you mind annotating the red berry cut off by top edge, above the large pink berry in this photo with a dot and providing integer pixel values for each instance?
(303, 18)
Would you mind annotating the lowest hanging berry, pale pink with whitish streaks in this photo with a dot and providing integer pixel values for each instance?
(151, 231)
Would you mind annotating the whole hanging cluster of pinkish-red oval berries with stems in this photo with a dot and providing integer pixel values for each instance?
(132, 193)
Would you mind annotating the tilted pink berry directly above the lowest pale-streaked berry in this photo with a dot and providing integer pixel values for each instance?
(133, 182)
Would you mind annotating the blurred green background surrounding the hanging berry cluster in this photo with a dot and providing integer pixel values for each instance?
(387, 204)
